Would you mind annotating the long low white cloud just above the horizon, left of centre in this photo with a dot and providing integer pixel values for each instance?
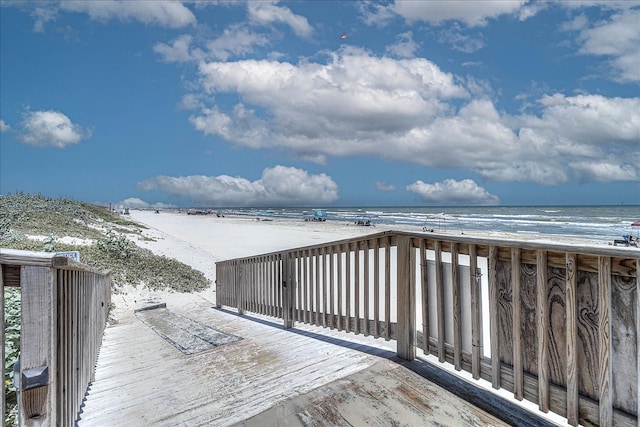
(280, 185)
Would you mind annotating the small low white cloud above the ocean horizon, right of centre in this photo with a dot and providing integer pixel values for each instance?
(451, 192)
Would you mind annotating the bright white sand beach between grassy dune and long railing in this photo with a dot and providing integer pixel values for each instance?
(202, 240)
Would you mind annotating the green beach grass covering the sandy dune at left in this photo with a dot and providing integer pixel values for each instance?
(39, 223)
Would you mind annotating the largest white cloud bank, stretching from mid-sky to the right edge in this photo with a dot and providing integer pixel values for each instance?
(410, 110)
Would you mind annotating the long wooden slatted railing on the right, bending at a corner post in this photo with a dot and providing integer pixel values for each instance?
(554, 324)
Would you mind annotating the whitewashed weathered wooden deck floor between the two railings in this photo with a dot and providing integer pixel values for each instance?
(272, 376)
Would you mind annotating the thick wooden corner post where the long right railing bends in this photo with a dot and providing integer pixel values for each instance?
(406, 291)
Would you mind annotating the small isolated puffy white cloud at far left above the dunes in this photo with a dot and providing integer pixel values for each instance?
(50, 129)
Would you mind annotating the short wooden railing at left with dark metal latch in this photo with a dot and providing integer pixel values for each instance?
(64, 309)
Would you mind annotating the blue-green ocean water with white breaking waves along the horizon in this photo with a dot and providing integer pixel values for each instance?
(596, 222)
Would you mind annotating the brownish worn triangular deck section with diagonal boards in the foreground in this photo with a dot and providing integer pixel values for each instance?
(384, 394)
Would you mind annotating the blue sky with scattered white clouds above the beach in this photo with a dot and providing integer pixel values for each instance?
(246, 103)
